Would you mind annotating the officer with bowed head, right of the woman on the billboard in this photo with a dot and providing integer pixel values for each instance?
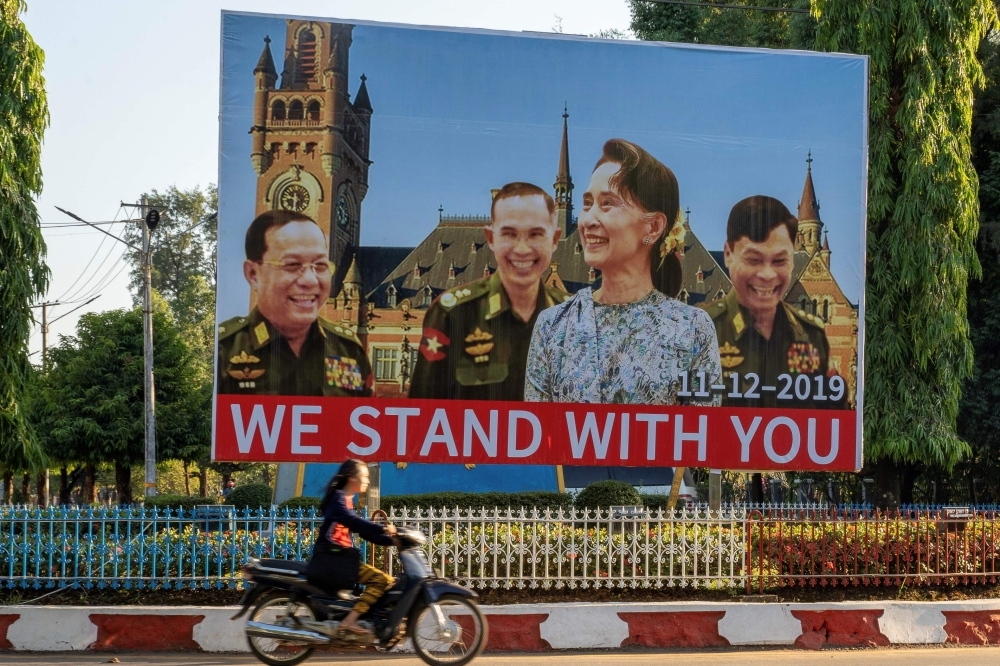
(760, 334)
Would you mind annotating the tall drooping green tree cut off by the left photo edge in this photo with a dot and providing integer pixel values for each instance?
(24, 276)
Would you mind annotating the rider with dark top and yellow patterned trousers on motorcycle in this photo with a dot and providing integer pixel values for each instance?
(336, 563)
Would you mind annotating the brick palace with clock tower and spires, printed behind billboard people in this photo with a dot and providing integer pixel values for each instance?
(310, 152)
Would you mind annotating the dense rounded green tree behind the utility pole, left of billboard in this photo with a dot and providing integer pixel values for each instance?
(94, 399)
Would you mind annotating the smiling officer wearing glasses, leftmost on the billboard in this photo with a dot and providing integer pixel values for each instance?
(283, 347)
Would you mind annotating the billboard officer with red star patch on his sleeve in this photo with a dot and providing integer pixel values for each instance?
(475, 338)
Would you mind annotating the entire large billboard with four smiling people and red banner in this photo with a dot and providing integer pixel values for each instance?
(483, 248)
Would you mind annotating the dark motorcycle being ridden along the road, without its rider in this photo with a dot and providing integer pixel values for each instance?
(290, 618)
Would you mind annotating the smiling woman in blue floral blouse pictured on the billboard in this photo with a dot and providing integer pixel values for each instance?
(630, 340)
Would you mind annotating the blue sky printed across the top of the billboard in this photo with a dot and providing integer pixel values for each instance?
(460, 112)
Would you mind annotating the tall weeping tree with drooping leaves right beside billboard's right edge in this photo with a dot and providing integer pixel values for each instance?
(922, 219)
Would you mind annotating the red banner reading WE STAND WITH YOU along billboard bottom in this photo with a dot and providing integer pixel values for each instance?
(292, 429)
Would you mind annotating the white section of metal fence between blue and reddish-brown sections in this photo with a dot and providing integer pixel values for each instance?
(576, 548)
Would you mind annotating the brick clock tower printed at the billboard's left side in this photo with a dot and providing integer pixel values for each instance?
(309, 140)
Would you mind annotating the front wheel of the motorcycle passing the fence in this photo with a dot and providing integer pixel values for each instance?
(437, 650)
